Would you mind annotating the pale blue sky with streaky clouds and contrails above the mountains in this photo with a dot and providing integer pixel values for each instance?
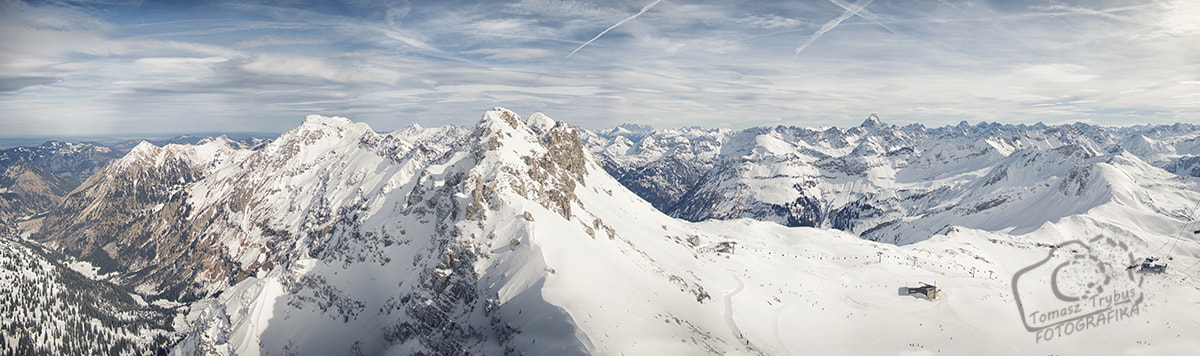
(104, 68)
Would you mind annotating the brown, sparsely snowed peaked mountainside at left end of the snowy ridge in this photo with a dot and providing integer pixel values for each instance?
(133, 218)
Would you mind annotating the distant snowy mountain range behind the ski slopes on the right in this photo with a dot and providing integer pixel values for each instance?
(895, 184)
